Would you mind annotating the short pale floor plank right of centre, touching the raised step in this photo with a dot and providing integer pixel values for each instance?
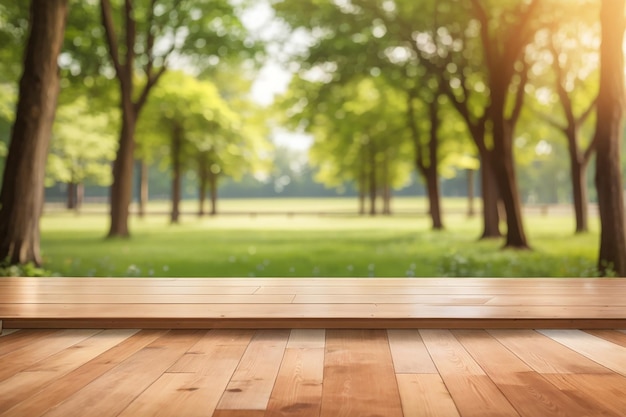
(409, 353)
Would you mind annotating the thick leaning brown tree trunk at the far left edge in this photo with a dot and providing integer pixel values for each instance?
(22, 195)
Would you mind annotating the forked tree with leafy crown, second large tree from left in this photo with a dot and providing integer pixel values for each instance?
(147, 39)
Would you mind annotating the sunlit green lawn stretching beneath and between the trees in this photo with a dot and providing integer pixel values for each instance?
(311, 245)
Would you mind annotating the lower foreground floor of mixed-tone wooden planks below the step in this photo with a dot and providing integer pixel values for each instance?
(312, 373)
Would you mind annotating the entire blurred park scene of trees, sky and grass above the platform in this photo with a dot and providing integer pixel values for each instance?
(366, 138)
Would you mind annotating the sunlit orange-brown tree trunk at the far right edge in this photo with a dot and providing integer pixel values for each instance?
(607, 139)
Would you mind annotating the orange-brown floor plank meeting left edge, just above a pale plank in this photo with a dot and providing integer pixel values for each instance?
(20, 359)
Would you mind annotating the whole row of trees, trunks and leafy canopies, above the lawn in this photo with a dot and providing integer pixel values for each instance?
(518, 96)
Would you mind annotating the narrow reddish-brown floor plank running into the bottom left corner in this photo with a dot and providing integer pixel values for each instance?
(64, 387)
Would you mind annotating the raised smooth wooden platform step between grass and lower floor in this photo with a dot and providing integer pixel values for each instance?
(198, 303)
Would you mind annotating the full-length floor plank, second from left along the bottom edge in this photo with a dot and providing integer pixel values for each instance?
(130, 378)
